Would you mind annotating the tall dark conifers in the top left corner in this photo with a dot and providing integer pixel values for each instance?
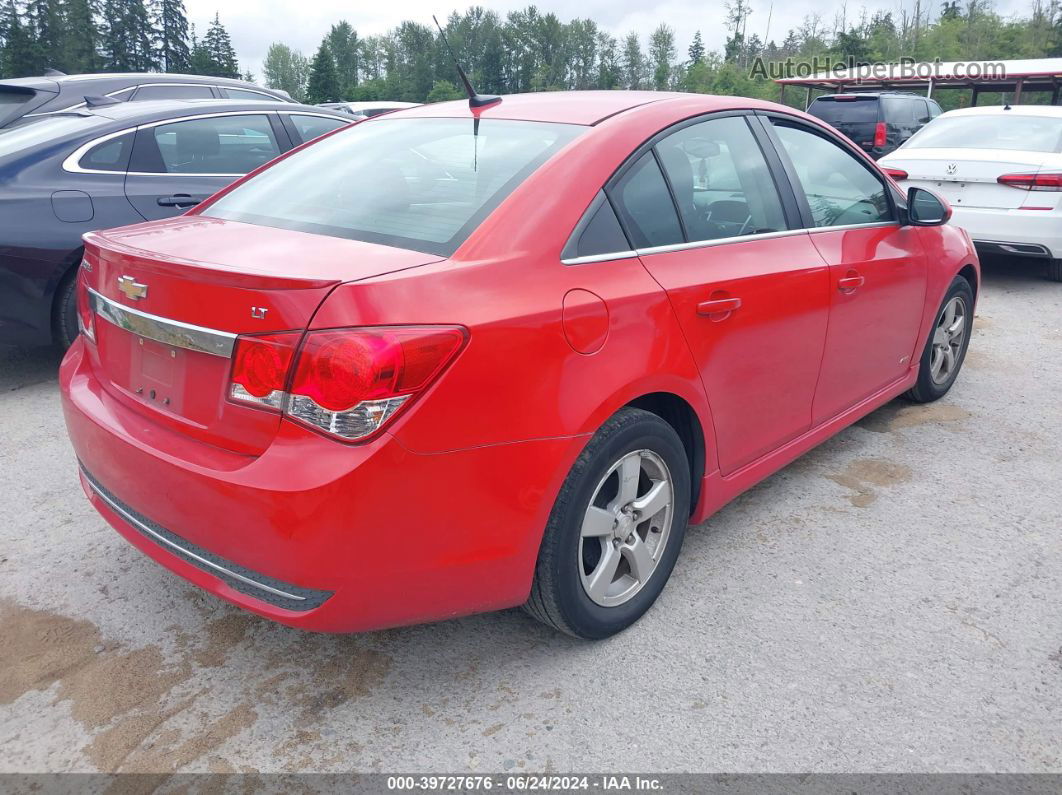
(80, 37)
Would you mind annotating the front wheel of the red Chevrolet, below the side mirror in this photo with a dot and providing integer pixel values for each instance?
(946, 350)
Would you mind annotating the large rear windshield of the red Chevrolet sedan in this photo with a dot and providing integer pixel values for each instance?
(419, 184)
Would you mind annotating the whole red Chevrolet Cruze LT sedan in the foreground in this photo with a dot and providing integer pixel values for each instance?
(457, 359)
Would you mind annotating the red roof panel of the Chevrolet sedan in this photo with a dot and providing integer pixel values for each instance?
(570, 108)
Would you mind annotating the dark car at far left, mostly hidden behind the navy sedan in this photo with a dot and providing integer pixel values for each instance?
(54, 92)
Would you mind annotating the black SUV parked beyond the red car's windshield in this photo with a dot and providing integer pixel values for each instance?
(879, 122)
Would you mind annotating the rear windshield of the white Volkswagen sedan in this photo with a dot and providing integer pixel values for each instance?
(1006, 131)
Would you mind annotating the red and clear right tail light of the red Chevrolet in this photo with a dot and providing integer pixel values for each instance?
(346, 383)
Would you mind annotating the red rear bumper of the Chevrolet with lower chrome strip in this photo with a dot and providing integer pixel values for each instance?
(366, 537)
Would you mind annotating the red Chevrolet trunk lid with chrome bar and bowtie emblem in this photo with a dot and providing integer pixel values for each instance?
(173, 297)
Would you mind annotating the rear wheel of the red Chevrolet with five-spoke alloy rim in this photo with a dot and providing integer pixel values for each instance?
(627, 567)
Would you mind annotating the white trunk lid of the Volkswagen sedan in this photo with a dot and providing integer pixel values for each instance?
(968, 178)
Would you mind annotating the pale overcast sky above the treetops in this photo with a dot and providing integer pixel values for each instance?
(301, 24)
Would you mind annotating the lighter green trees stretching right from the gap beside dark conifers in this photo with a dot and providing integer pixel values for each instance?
(528, 50)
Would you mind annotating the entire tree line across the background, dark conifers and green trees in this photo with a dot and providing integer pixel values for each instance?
(525, 50)
